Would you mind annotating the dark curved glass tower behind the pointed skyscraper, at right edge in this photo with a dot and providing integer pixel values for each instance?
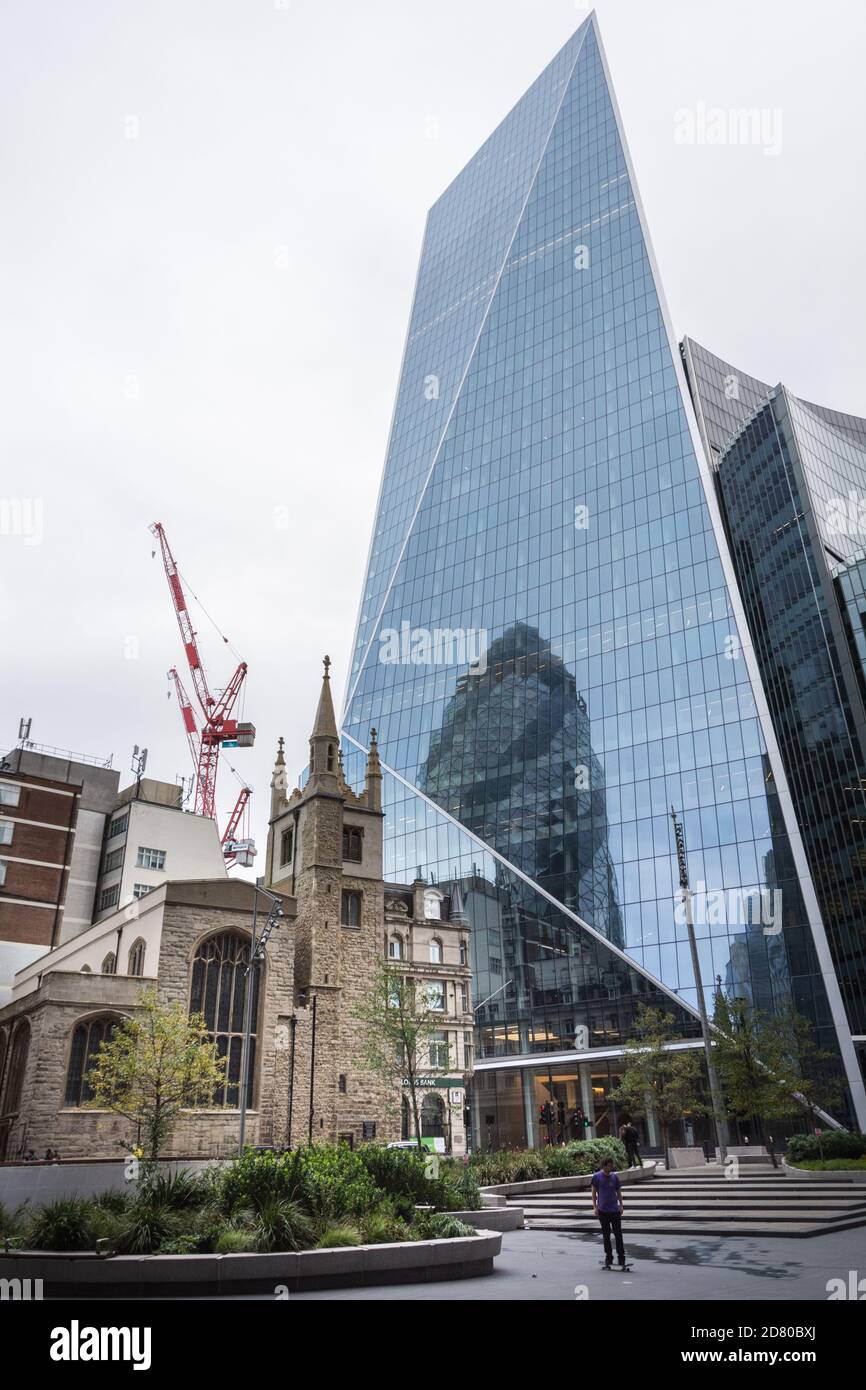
(792, 479)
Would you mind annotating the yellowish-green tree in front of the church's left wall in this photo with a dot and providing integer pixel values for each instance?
(156, 1064)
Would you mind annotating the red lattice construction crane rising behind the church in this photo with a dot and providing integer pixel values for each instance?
(219, 729)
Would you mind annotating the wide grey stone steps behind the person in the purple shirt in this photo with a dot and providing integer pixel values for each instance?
(704, 1203)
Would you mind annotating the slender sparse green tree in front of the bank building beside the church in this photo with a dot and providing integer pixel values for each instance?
(398, 1024)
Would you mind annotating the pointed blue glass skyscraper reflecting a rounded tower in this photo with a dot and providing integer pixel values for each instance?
(550, 640)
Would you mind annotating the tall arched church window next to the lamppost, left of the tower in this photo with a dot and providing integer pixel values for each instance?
(218, 992)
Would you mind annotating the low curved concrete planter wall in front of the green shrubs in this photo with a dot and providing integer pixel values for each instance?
(152, 1277)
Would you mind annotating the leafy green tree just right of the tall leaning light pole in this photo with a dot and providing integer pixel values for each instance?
(769, 1064)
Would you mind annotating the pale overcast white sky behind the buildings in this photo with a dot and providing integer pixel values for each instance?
(212, 213)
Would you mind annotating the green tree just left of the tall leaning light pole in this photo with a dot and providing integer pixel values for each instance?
(672, 1081)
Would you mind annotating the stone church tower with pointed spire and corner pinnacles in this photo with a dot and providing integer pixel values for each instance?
(326, 850)
